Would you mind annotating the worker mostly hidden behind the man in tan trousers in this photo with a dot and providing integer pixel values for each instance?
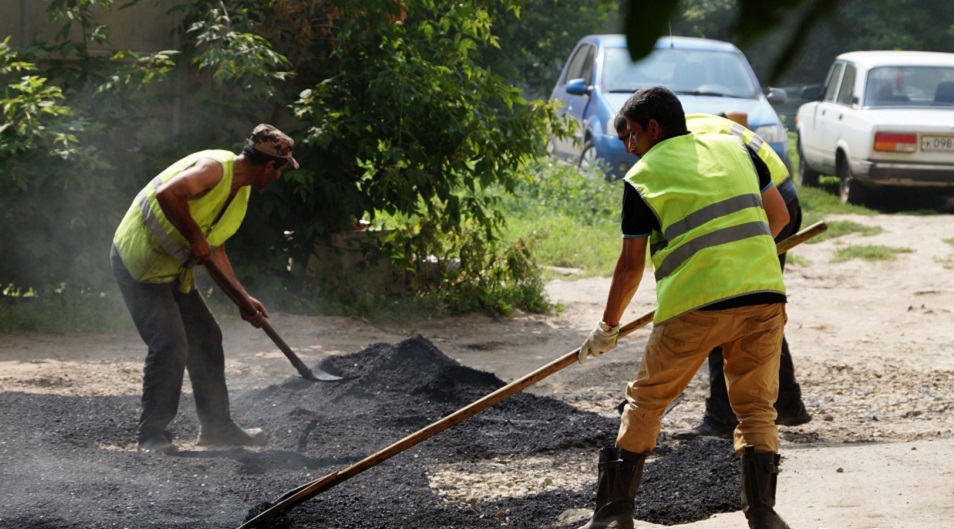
(719, 420)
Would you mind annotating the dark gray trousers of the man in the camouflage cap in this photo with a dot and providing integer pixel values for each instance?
(180, 333)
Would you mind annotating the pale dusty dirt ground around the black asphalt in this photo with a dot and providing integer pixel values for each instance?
(872, 343)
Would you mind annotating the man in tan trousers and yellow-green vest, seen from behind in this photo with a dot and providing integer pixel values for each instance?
(708, 220)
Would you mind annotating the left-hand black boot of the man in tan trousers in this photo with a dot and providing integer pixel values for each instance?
(620, 472)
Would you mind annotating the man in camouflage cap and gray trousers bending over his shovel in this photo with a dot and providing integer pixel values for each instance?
(183, 217)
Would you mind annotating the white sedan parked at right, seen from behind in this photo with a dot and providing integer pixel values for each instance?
(882, 119)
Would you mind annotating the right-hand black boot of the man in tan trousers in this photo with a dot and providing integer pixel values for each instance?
(759, 479)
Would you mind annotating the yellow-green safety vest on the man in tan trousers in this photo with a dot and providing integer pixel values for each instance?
(715, 242)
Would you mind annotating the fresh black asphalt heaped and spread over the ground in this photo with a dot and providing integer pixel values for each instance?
(68, 462)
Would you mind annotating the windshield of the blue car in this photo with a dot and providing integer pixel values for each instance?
(699, 72)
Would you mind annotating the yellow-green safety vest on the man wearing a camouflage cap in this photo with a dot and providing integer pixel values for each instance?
(152, 249)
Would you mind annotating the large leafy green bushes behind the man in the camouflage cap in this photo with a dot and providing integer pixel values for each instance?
(394, 118)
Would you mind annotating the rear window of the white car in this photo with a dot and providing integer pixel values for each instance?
(909, 86)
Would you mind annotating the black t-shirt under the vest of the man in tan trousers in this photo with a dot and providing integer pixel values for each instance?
(638, 221)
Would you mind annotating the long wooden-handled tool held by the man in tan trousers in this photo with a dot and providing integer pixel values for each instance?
(313, 488)
